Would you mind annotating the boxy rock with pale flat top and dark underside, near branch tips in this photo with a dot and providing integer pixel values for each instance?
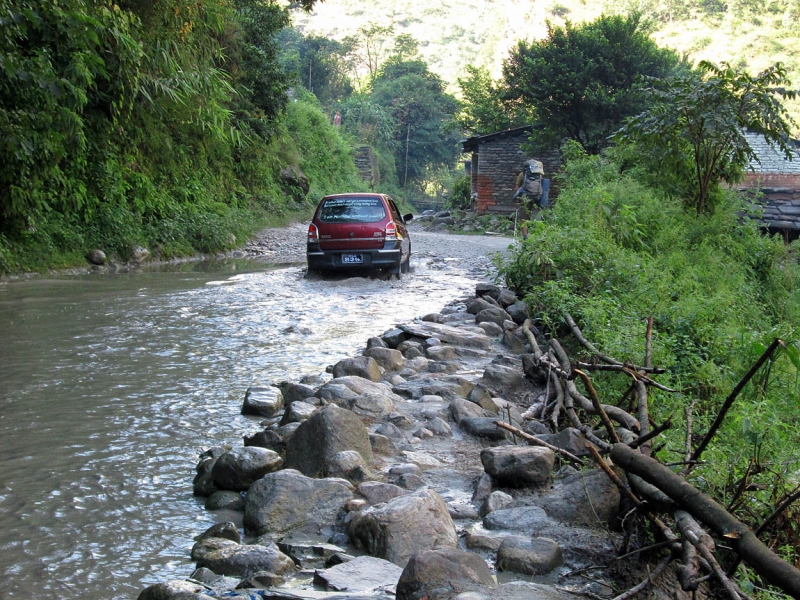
(516, 466)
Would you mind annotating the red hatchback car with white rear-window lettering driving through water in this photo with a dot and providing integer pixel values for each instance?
(358, 231)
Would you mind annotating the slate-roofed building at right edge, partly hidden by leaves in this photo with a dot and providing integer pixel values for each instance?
(775, 185)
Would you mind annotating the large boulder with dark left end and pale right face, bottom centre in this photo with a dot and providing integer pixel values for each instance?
(403, 526)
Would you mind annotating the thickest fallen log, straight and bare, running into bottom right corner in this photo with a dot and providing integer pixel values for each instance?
(744, 542)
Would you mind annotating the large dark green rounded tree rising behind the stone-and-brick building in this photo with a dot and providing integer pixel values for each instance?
(581, 80)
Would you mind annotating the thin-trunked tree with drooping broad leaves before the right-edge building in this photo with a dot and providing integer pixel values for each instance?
(695, 130)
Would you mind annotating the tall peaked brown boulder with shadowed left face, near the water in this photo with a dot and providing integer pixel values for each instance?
(327, 432)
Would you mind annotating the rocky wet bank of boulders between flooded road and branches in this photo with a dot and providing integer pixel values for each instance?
(388, 477)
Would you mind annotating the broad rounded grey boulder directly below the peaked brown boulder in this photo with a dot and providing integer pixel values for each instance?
(288, 500)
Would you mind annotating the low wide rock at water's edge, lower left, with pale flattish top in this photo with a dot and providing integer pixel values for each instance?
(244, 560)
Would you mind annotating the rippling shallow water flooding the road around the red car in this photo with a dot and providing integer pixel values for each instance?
(110, 387)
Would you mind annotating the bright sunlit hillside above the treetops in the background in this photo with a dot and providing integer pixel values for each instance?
(454, 33)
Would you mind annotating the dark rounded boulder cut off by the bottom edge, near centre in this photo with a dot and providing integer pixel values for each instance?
(442, 571)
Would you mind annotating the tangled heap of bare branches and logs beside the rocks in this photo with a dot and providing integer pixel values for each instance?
(654, 491)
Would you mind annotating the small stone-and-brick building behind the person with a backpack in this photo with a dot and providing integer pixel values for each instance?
(496, 160)
